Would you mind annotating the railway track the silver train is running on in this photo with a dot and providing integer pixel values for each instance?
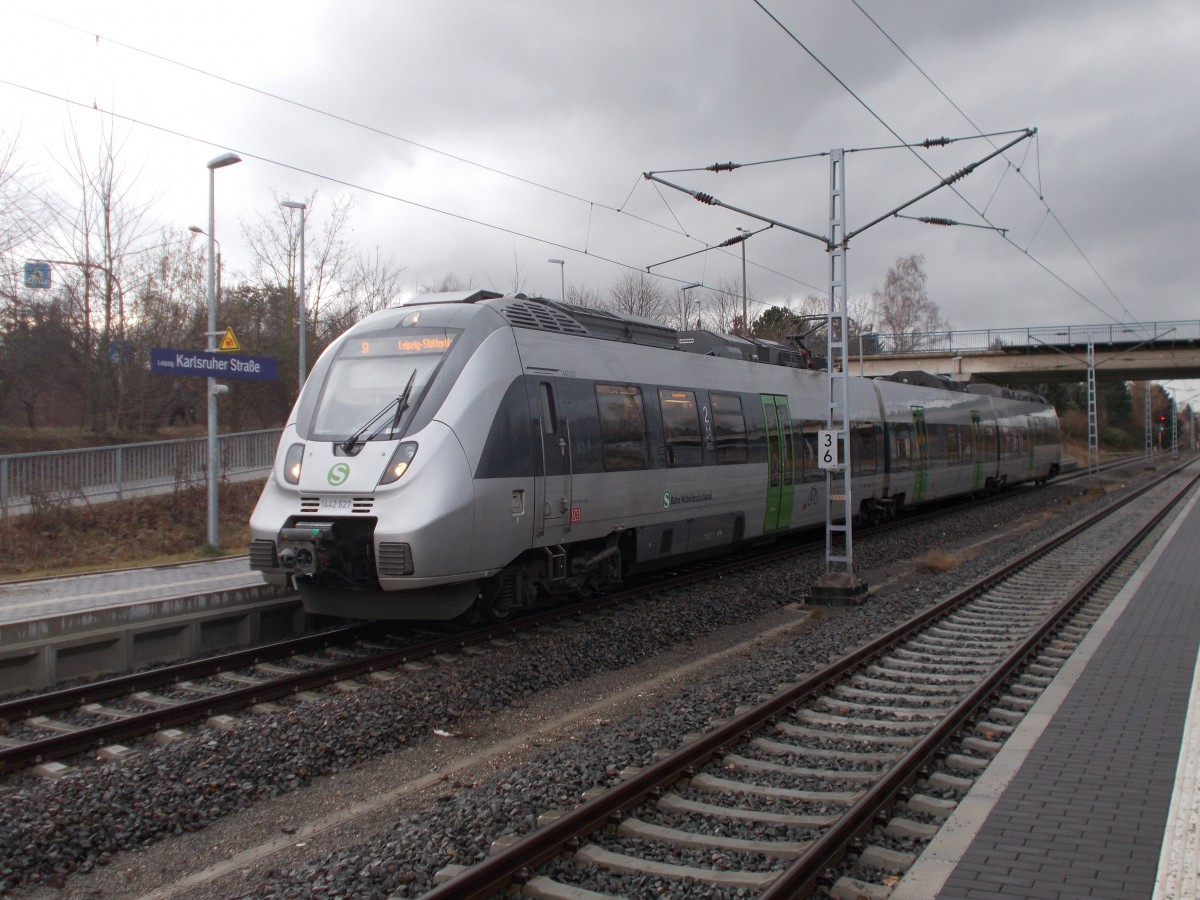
(105, 717)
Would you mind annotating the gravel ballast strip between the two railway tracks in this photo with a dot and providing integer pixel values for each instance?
(139, 826)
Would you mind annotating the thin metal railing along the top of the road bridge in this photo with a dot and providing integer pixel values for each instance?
(994, 339)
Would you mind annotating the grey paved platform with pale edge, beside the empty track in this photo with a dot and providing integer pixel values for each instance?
(1096, 795)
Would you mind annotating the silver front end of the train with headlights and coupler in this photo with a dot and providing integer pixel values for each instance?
(370, 506)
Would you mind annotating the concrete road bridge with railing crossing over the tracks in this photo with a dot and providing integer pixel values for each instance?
(1124, 352)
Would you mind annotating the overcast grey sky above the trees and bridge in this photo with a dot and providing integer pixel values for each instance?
(483, 137)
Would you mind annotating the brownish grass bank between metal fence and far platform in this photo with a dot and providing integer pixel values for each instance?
(65, 539)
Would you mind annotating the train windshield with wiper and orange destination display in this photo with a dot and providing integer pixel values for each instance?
(370, 374)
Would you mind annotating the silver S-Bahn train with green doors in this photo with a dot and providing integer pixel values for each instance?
(472, 451)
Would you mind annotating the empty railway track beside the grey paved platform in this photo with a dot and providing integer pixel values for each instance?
(836, 783)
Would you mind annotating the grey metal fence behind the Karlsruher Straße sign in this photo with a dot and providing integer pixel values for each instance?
(109, 473)
